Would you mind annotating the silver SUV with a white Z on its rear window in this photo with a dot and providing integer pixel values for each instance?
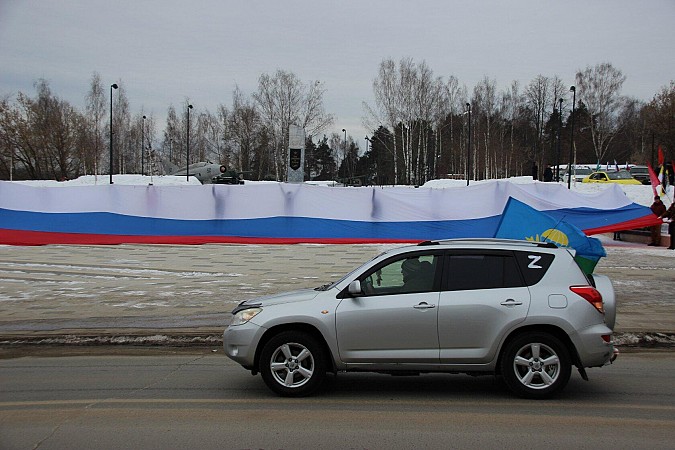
(523, 310)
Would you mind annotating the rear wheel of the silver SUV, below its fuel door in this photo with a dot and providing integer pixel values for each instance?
(536, 365)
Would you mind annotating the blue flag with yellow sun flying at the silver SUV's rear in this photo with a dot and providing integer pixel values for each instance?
(521, 221)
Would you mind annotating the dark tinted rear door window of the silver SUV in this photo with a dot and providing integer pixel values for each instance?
(473, 271)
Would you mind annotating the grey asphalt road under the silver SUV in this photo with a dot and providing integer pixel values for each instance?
(200, 399)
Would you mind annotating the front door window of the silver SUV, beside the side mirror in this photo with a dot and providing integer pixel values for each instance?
(402, 276)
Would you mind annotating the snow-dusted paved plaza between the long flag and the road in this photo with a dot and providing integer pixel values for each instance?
(50, 292)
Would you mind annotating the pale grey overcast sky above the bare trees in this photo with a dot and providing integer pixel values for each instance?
(165, 52)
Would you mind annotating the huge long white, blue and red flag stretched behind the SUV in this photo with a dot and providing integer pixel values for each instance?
(285, 213)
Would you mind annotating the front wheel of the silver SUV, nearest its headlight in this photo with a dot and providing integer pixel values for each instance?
(293, 364)
